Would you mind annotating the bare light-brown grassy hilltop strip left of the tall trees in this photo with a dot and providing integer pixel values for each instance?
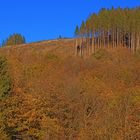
(46, 46)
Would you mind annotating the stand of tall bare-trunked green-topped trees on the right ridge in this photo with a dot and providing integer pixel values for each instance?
(111, 28)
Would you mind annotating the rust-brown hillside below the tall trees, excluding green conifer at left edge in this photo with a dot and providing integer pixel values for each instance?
(57, 95)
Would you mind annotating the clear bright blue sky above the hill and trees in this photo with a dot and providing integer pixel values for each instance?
(47, 19)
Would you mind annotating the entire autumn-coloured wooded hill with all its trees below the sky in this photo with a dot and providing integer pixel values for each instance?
(81, 88)
